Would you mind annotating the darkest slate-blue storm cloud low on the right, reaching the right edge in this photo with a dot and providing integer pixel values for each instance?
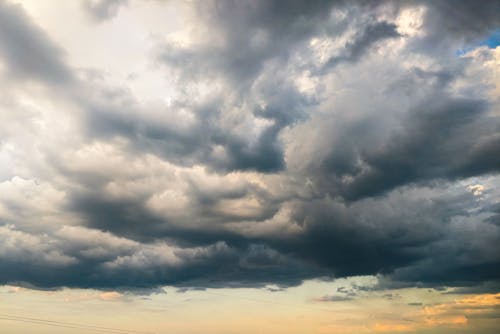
(424, 240)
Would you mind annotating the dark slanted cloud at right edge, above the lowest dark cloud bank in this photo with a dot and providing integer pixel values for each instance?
(420, 151)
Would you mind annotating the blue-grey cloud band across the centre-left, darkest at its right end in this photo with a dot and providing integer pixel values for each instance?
(198, 142)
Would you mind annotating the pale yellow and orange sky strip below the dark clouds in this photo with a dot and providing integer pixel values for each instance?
(302, 309)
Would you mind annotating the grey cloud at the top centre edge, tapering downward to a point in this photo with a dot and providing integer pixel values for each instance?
(255, 32)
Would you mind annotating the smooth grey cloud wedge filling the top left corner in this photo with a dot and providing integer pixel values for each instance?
(27, 51)
